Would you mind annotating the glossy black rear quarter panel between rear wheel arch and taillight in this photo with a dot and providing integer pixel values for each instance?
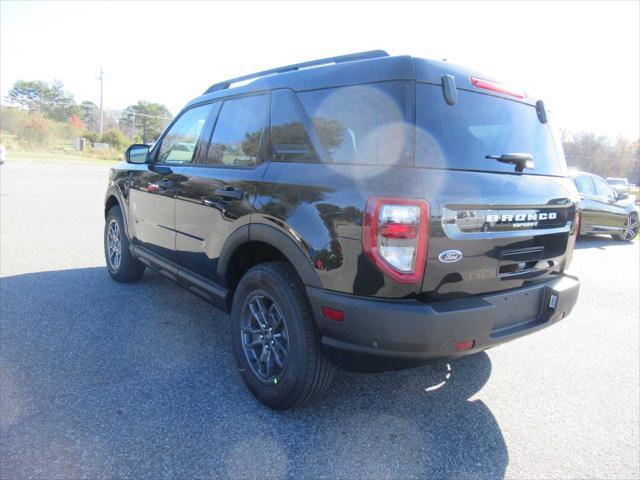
(321, 207)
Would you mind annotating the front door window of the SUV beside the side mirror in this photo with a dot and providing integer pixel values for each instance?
(179, 144)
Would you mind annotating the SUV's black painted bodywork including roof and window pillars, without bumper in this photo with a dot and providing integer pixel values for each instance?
(312, 213)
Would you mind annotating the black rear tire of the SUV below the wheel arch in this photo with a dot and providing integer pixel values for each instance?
(306, 373)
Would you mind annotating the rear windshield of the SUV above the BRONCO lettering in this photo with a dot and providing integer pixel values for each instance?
(460, 136)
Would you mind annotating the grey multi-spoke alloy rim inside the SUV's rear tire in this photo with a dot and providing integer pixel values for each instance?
(265, 339)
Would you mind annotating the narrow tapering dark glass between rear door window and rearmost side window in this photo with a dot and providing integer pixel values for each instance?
(289, 138)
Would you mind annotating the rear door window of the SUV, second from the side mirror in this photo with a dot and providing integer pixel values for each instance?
(238, 132)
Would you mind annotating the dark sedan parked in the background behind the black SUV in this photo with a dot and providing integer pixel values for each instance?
(604, 210)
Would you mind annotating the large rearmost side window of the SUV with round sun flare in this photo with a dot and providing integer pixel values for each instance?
(363, 124)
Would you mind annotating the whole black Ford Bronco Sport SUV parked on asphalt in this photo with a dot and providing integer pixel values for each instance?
(385, 207)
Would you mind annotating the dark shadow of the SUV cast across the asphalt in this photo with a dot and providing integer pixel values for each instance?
(100, 379)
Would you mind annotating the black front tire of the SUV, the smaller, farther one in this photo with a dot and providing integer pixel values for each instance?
(128, 269)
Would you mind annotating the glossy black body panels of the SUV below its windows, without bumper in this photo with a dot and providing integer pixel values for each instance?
(320, 208)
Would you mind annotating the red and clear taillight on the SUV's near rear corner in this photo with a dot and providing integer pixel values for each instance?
(395, 235)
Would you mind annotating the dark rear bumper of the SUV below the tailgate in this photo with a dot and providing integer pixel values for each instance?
(414, 330)
